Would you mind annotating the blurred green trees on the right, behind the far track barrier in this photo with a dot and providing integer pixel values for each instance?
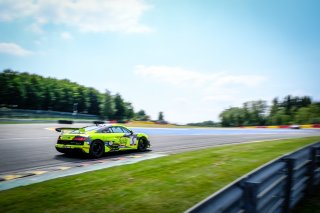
(289, 110)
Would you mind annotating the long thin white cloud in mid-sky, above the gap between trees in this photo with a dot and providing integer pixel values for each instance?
(186, 78)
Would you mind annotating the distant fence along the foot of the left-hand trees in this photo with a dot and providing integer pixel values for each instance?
(23, 113)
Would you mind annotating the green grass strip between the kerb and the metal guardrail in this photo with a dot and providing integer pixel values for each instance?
(167, 184)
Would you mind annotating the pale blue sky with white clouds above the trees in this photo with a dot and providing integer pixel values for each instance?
(190, 59)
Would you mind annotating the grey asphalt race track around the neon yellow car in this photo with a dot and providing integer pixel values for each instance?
(26, 147)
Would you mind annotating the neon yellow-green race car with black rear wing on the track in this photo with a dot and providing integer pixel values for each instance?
(99, 139)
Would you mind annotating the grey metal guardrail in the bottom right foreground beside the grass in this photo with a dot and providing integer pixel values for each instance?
(275, 187)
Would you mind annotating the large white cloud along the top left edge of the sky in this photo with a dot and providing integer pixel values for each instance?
(85, 15)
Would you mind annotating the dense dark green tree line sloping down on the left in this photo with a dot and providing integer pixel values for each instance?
(31, 91)
